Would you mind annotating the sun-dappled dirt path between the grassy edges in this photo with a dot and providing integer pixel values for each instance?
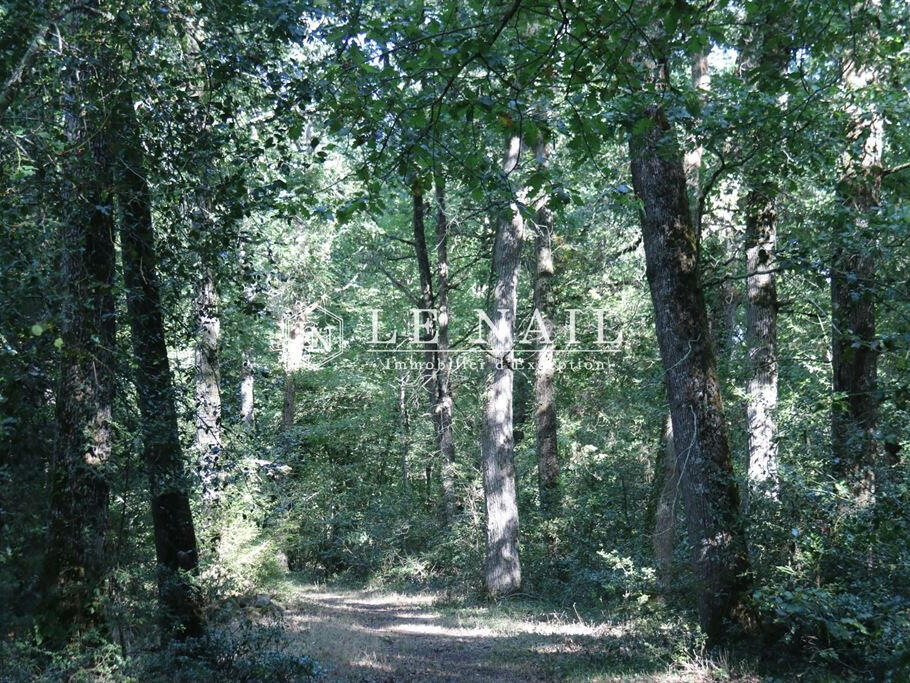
(381, 636)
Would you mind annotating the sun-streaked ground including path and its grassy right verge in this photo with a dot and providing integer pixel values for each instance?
(382, 636)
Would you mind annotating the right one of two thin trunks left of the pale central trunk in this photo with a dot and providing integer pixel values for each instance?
(445, 405)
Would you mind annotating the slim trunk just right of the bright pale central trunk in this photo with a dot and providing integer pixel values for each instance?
(545, 371)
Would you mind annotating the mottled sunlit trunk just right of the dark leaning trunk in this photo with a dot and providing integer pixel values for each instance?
(208, 380)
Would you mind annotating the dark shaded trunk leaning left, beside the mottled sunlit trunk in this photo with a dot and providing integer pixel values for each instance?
(175, 537)
